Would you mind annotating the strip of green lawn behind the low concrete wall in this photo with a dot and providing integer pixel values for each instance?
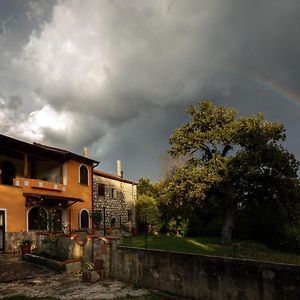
(212, 246)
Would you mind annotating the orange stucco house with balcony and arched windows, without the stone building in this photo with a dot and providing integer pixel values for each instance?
(42, 188)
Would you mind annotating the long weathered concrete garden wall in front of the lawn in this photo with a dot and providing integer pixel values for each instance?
(205, 277)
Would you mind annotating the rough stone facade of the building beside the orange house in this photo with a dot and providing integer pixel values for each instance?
(117, 197)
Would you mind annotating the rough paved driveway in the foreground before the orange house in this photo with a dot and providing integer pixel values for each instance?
(24, 278)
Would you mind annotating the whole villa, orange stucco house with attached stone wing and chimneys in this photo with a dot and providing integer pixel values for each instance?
(44, 189)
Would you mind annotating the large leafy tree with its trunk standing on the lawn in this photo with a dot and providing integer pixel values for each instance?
(235, 160)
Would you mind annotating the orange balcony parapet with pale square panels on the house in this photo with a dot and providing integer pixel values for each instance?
(38, 184)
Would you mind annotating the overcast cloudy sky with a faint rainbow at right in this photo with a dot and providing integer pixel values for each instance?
(115, 76)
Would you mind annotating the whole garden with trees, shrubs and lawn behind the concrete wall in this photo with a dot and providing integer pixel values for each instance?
(227, 187)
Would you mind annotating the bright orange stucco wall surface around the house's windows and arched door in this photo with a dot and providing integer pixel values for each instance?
(12, 199)
